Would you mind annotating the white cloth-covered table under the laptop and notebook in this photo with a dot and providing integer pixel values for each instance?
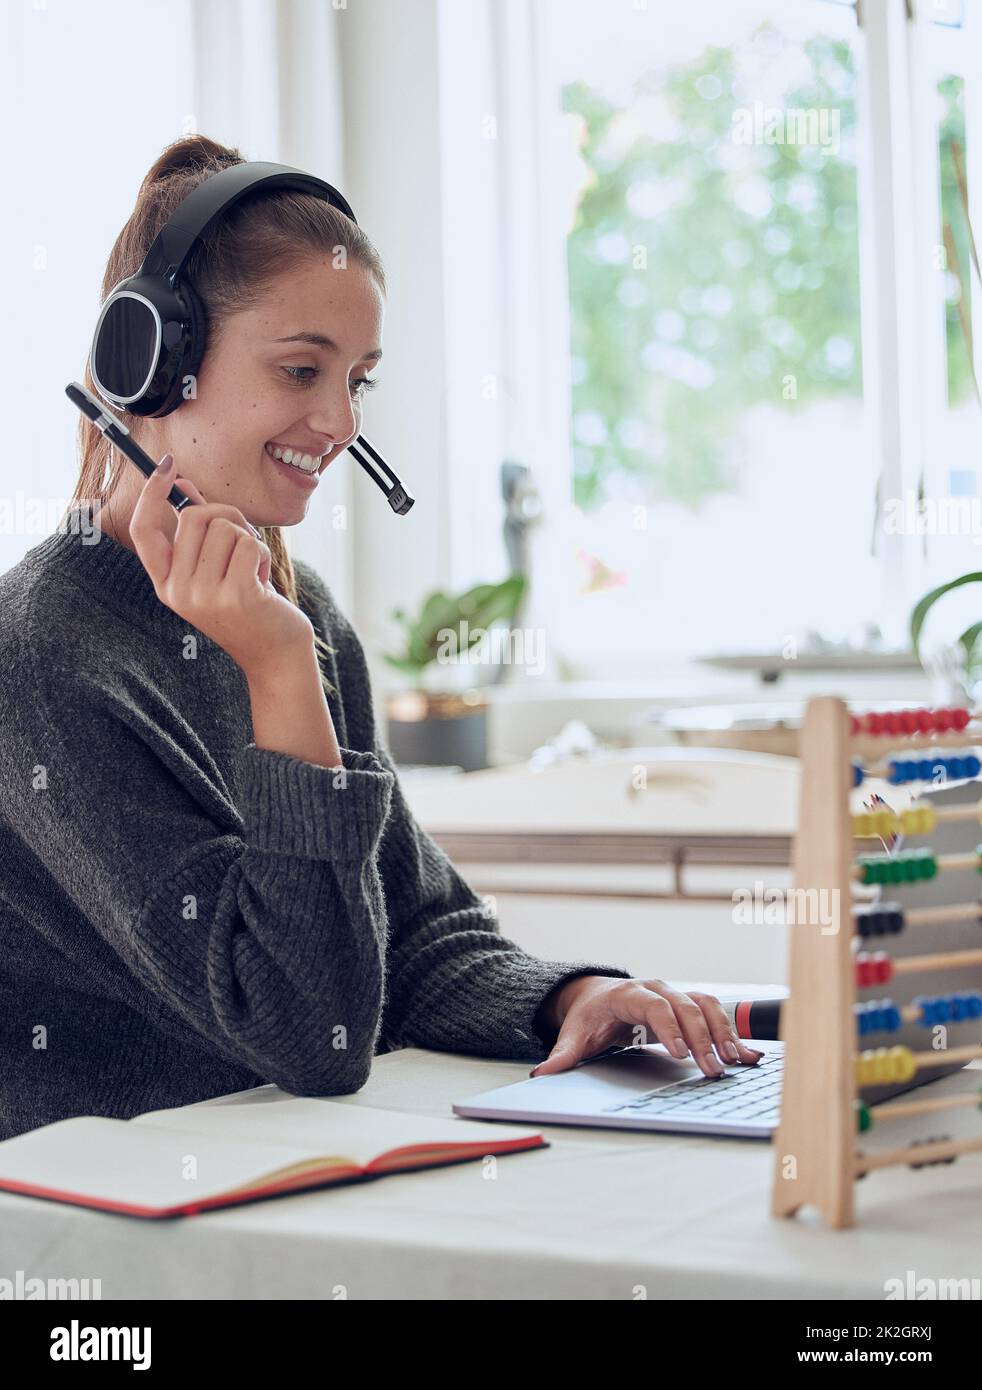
(600, 1214)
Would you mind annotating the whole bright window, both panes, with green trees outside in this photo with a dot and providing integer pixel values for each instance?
(707, 180)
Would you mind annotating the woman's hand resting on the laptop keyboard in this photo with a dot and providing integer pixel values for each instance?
(595, 1013)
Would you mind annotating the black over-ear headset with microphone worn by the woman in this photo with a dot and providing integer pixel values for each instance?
(152, 329)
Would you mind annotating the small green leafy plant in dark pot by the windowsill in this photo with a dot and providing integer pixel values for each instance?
(440, 715)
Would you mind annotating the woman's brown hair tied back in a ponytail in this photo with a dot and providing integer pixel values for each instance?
(258, 238)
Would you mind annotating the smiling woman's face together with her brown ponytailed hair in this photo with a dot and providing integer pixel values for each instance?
(315, 250)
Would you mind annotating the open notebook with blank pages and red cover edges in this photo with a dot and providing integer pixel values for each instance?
(190, 1160)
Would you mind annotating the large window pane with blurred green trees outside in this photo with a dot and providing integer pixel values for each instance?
(723, 486)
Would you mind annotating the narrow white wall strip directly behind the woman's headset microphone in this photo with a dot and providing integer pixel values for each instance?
(393, 184)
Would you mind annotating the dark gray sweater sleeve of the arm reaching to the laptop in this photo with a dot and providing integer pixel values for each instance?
(456, 983)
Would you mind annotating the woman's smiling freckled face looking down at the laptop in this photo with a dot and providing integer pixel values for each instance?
(254, 390)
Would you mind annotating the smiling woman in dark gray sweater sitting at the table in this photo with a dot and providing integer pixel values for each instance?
(211, 876)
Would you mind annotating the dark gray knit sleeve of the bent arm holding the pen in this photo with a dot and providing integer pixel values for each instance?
(262, 931)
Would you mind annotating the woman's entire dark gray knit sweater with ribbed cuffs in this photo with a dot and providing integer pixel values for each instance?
(183, 914)
